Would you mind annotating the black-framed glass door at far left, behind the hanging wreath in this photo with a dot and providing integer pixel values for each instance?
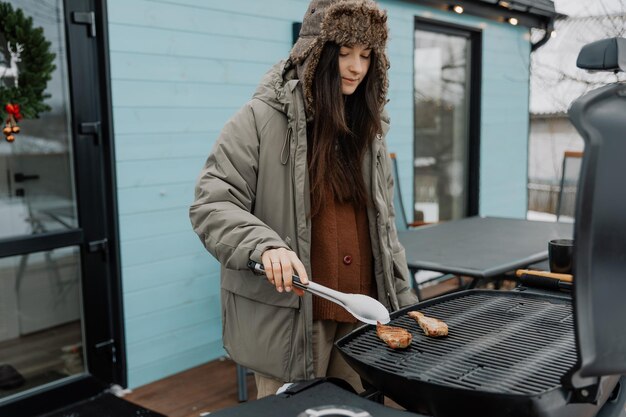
(57, 213)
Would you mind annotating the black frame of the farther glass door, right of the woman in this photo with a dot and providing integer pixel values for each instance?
(474, 36)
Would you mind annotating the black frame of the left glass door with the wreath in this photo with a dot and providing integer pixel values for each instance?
(98, 231)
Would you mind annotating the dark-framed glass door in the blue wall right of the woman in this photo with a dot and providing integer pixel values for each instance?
(447, 119)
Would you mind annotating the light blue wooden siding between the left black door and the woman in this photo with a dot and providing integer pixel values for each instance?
(179, 70)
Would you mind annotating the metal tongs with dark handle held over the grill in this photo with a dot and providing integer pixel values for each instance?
(362, 307)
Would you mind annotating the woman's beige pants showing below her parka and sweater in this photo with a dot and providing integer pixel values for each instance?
(327, 360)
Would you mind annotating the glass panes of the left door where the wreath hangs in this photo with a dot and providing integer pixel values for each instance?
(41, 337)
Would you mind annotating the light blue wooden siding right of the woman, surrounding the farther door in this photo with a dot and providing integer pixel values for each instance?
(504, 115)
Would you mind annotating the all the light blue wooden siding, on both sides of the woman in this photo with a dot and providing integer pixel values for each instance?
(179, 70)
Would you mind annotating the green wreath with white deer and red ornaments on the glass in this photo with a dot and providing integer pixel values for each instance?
(23, 86)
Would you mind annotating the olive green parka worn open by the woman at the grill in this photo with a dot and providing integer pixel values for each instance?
(253, 195)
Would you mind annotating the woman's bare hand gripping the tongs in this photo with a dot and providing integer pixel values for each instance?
(279, 267)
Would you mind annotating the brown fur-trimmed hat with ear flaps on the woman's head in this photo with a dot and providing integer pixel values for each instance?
(345, 22)
